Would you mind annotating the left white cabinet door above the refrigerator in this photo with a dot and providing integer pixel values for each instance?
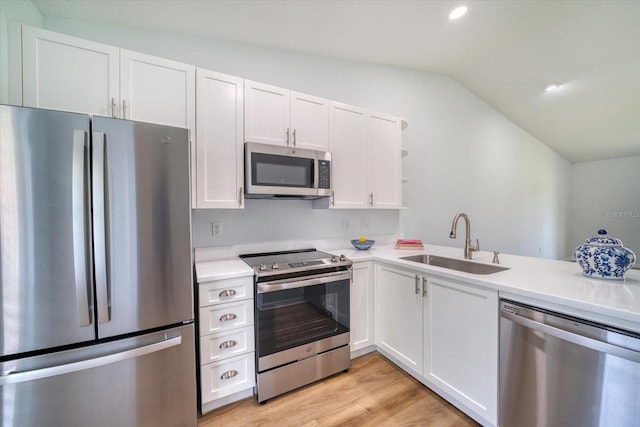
(66, 73)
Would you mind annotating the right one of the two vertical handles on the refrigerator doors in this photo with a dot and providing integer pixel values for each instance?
(99, 227)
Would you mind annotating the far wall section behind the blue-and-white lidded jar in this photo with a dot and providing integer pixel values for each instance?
(606, 194)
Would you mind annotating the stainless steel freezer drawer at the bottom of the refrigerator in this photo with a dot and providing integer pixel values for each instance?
(142, 381)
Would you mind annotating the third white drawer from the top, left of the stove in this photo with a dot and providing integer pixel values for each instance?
(225, 344)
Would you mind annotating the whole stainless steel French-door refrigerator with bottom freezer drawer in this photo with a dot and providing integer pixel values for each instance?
(96, 325)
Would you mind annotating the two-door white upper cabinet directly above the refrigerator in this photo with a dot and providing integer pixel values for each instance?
(67, 73)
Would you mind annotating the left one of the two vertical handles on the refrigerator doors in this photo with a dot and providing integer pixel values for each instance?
(78, 198)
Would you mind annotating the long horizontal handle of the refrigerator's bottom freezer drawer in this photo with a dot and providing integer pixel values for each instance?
(52, 371)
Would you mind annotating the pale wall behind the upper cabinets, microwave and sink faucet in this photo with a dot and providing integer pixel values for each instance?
(463, 155)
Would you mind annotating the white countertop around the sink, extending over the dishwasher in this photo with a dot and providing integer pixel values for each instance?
(552, 284)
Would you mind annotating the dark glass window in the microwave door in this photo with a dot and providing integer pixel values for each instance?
(281, 171)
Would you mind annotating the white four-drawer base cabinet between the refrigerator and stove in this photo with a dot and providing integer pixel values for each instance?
(227, 344)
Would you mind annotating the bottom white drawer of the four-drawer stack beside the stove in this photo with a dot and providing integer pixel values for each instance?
(227, 376)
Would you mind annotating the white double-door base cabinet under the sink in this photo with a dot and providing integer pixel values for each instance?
(444, 333)
